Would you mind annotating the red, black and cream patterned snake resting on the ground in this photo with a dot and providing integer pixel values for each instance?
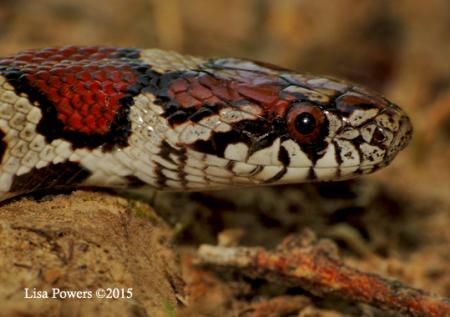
(89, 116)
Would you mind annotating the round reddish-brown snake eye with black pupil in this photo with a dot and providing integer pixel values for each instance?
(305, 121)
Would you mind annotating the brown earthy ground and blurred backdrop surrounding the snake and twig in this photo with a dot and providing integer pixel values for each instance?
(394, 223)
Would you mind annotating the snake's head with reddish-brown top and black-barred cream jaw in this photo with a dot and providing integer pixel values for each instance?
(235, 122)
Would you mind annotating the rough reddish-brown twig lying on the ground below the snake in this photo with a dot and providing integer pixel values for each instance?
(314, 265)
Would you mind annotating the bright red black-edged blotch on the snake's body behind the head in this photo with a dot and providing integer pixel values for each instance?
(84, 88)
